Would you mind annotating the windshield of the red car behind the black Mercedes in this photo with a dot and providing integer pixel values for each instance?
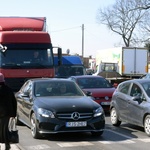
(93, 83)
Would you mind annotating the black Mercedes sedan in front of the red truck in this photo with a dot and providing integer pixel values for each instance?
(57, 105)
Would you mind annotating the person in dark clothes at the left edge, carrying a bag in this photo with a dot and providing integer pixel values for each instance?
(8, 109)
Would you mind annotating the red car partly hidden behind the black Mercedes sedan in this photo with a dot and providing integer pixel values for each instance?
(100, 88)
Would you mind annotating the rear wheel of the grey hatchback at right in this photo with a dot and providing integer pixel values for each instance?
(114, 117)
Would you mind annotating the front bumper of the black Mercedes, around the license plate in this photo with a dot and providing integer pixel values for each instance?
(47, 126)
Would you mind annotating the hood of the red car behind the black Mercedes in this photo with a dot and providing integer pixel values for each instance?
(100, 91)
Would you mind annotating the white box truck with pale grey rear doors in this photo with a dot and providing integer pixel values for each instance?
(122, 63)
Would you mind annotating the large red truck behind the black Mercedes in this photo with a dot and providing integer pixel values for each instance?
(20, 37)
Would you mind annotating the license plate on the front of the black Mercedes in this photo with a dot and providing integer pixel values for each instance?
(76, 124)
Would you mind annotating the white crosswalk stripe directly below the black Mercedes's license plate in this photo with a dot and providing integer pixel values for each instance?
(74, 144)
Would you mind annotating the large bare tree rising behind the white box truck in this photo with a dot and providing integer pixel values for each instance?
(122, 18)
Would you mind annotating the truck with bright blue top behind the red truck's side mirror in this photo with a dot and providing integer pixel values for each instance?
(71, 66)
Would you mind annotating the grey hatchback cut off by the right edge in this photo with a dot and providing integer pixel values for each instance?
(131, 103)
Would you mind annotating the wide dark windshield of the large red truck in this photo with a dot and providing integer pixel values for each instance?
(26, 58)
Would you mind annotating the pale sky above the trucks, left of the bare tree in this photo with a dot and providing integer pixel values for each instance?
(64, 22)
